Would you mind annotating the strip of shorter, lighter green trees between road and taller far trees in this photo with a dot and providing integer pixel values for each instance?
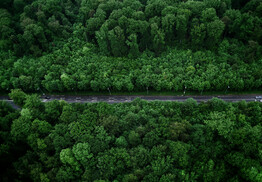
(62, 71)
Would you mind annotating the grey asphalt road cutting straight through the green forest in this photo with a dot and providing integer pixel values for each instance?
(118, 99)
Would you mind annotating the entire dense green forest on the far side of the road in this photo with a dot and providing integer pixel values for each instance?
(130, 45)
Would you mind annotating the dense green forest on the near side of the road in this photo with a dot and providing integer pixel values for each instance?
(130, 142)
